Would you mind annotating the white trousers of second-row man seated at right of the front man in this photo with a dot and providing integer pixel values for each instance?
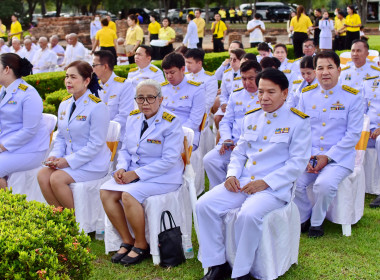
(324, 188)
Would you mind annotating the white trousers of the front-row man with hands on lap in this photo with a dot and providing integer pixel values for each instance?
(212, 207)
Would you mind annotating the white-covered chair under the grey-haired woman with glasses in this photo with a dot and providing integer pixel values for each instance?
(177, 202)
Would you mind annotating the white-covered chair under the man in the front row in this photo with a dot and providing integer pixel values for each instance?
(279, 244)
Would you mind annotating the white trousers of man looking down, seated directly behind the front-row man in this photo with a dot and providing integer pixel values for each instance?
(216, 166)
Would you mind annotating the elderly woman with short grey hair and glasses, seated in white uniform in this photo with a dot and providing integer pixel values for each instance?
(149, 163)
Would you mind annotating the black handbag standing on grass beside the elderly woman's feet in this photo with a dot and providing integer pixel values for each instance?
(170, 243)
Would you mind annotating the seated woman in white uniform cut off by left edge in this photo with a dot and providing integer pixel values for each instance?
(24, 138)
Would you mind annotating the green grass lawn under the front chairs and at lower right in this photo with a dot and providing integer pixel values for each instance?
(331, 257)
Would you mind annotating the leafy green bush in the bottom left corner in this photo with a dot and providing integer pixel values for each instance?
(40, 242)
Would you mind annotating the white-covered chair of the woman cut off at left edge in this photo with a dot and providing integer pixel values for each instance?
(25, 182)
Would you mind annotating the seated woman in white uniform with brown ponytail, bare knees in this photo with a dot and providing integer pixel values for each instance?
(80, 152)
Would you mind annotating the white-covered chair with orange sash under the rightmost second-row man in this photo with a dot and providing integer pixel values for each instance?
(348, 205)
